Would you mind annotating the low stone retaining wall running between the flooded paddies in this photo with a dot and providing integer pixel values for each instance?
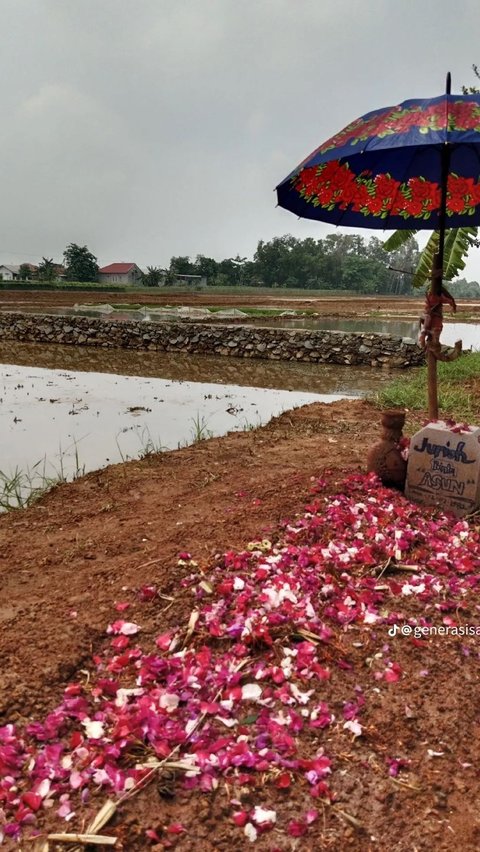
(332, 347)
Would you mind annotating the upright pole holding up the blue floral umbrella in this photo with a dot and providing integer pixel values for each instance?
(437, 273)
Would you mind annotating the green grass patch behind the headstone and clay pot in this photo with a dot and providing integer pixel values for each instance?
(458, 390)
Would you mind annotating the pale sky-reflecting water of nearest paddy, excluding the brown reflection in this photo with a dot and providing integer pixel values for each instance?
(77, 421)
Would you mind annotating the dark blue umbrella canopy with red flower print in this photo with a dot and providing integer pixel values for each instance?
(386, 169)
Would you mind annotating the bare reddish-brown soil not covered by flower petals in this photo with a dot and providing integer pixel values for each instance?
(92, 542)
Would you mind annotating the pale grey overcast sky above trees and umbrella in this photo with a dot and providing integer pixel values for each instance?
(151, 128)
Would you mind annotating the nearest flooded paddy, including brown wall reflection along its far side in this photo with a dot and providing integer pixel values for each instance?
(66, 410)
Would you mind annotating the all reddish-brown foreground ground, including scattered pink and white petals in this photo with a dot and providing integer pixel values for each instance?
(231, 642)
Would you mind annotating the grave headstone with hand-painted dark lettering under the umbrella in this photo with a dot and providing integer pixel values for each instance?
(444, 467)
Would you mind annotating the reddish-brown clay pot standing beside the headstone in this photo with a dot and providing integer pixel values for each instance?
(385, 458)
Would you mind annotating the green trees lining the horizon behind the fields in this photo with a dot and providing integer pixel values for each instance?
(336, 262)
